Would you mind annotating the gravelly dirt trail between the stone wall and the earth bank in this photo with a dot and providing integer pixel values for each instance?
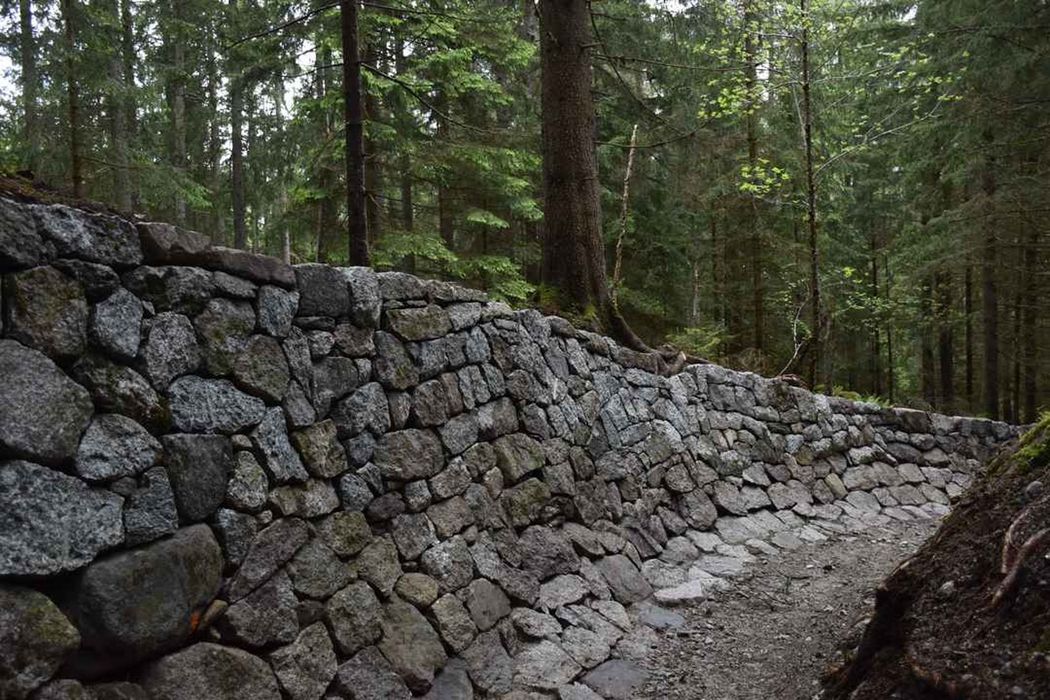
(775, 631)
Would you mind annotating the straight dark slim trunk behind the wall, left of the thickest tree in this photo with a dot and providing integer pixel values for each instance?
(353, 115)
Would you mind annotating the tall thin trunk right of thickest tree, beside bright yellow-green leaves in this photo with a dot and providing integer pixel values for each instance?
(816, 316)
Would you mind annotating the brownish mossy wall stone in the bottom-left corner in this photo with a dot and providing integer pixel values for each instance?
(35, 640)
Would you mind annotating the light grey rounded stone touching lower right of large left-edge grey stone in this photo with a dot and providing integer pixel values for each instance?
(116, 447)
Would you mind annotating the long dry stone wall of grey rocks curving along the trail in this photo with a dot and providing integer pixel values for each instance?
(222, 477)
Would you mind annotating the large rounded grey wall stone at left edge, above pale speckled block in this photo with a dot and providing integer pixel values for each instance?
(43, 412)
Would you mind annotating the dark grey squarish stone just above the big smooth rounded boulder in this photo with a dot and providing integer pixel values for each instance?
(199, 468)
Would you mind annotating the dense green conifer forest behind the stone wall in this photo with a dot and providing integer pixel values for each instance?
(857, 192)
